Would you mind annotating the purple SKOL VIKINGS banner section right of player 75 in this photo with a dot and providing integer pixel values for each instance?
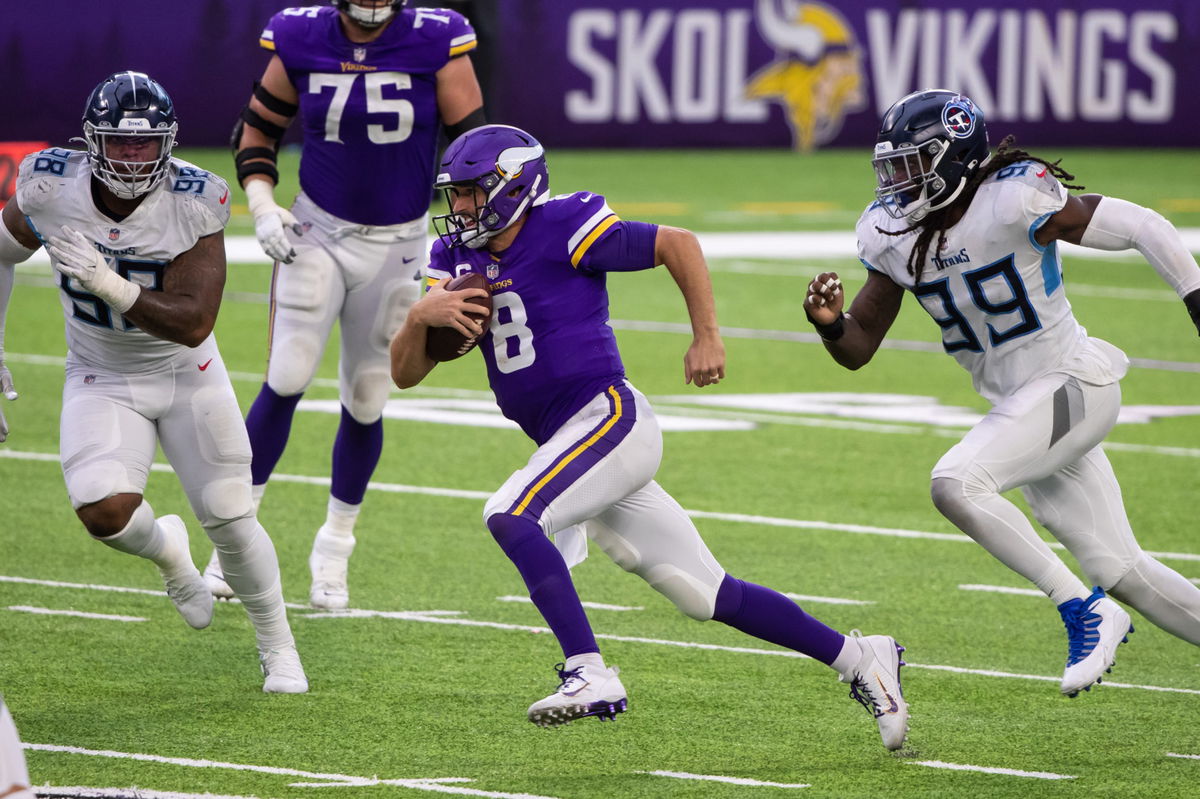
(811, 75)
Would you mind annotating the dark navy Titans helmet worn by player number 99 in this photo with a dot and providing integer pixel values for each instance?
(931, 145)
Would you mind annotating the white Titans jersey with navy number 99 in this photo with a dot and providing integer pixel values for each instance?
(995, 292)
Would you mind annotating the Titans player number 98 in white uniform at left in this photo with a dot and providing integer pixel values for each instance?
(137, 239)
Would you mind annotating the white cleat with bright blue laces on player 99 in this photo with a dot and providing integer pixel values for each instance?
(1096, 627)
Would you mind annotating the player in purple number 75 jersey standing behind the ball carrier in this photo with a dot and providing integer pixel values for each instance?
(371, 82)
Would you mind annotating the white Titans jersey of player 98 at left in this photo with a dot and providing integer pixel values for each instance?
(55, 190)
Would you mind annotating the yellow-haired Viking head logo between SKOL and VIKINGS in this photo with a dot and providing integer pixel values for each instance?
(818, 73)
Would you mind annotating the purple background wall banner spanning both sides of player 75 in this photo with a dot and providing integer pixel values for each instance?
(788, 74)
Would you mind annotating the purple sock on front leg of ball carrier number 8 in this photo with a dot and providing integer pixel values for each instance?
(548, 579)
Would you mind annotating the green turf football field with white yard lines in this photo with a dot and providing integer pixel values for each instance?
(424, 688)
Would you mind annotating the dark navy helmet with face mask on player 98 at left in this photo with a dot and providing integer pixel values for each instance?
(130, 127)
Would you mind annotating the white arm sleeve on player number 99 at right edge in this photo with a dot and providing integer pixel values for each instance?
(1120, 225)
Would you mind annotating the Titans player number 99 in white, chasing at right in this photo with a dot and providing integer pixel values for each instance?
(974, 236)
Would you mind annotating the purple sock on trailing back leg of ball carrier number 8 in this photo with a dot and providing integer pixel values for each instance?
(769, 615)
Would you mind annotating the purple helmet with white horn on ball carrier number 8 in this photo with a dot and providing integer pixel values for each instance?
(508, 165)
